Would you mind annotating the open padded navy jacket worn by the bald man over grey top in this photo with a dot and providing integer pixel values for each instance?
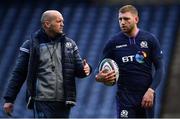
(27, 65)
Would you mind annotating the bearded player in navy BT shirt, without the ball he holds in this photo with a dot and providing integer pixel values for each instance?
(135, 51)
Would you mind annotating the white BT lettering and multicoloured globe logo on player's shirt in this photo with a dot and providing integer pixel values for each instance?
(139, 57)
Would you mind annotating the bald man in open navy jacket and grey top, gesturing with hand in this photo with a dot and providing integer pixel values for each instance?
(49, 61)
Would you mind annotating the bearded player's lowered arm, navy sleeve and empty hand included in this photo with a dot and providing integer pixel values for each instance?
(157, 56)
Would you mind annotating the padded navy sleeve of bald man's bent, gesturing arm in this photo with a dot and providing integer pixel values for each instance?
(79, 68)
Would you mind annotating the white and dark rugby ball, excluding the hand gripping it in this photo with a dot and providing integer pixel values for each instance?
(109, 65)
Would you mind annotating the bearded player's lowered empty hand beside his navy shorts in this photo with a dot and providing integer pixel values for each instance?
(148, 99)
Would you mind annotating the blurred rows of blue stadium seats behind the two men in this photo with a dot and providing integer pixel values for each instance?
(91, 23)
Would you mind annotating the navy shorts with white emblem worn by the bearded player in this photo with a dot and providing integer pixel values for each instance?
(129, 105)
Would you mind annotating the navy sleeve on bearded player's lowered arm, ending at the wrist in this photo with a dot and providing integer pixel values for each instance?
(157, 59)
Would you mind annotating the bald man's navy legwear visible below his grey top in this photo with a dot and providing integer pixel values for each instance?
(51, 109)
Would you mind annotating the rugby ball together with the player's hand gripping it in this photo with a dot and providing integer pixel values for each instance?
(108, 72)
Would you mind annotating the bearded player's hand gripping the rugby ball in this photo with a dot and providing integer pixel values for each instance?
(104, 76)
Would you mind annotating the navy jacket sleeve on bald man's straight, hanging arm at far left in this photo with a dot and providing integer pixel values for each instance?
(19, 74)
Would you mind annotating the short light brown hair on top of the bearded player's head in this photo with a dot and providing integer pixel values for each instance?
(128, 8)
